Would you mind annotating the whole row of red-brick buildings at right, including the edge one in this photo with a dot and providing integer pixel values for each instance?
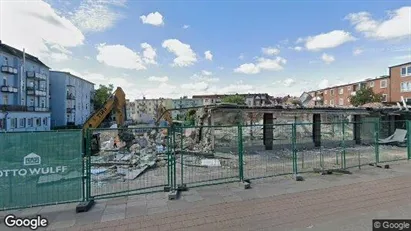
(392, 87)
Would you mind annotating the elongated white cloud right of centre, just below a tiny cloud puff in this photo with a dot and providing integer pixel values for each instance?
(262, 64)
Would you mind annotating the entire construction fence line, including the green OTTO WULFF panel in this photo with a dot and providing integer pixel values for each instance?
(42, 168)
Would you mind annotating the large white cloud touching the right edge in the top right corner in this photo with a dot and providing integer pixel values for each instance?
(396, 26)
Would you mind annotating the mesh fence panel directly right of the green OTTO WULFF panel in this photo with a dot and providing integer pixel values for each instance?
(137, 164)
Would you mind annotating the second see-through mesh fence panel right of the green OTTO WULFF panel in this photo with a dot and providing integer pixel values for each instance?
(206, 155)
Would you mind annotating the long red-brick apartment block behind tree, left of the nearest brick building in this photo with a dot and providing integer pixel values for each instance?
(340, 95)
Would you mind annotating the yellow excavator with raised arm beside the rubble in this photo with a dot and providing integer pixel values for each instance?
(117, 103)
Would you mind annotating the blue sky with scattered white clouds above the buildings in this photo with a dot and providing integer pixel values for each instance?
(182, 48)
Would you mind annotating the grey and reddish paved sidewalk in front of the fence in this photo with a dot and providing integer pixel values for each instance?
(280, 203)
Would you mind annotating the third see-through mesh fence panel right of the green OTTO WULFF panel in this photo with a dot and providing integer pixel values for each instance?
(259, 162)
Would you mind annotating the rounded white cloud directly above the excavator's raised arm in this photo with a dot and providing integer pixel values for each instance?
(119, 56)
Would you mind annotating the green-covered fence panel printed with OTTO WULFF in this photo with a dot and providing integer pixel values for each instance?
(40, 168)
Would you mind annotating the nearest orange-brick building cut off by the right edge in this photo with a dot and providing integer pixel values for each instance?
(400, 76)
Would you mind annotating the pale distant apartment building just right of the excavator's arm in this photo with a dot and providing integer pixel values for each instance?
(146, 110)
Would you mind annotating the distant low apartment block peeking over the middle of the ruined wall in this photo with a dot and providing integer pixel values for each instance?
(262, 99)
